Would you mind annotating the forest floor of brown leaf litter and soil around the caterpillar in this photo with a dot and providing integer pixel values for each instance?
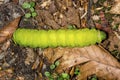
(99, 61)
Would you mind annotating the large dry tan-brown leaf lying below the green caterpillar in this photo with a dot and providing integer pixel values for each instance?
(93, 60)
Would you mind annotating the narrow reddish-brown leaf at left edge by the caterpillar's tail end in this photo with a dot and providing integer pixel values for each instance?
(7, 31)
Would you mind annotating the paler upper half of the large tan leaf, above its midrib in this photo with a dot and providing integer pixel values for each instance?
(86, 54)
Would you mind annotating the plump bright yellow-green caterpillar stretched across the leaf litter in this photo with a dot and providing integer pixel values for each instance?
(54, 38)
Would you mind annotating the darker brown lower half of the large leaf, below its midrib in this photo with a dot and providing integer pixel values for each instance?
(102, 71)
